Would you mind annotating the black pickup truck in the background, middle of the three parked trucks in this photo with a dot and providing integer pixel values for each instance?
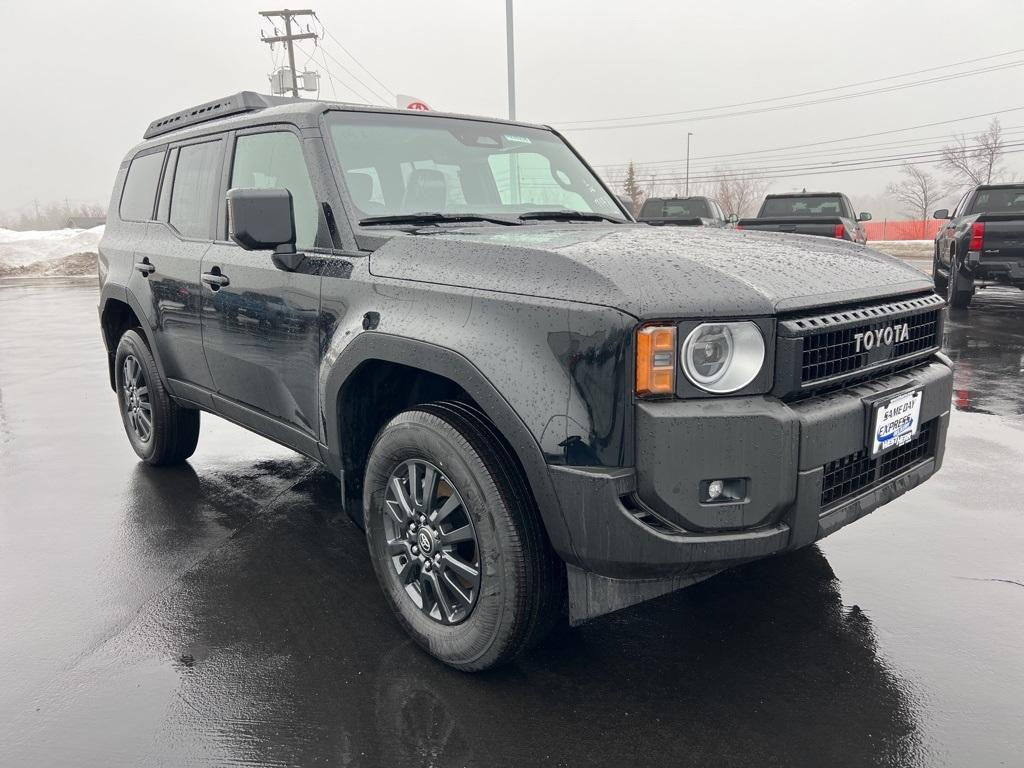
(824, 215)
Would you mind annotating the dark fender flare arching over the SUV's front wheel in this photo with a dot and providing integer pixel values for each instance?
(453, 366)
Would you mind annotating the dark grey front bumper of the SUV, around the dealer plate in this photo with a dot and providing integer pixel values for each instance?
(649, 523)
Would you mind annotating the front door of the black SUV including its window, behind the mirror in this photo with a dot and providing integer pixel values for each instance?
(261, 328)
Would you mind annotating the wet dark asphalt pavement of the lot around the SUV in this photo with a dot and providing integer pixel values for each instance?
(227, 614)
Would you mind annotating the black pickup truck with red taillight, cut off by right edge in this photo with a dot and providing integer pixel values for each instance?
(983, 244)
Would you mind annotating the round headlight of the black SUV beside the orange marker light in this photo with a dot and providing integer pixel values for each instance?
(723, 358)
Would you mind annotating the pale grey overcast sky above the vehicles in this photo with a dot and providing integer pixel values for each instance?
(84, 79)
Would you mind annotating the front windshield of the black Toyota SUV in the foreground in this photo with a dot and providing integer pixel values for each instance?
(407, 164)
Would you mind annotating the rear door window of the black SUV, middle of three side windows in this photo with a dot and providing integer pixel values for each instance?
(194, 197)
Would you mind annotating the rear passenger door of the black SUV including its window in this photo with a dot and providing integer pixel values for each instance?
(168, 263)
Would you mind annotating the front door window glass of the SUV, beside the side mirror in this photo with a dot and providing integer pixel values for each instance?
(274, 161)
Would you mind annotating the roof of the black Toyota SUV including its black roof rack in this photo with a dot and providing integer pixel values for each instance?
(301, 112)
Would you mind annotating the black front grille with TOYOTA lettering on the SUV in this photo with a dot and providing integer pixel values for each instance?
(851, 344)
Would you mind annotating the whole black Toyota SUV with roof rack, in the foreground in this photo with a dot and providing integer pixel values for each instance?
(535, 407)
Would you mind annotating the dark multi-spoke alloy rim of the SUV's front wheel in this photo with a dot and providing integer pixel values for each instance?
(432, 542)
